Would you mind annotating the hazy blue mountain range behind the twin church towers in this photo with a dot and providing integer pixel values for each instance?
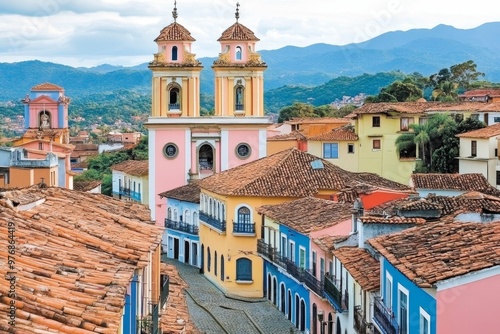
(425, 51)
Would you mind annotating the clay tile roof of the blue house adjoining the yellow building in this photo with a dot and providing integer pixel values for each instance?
(308, 214)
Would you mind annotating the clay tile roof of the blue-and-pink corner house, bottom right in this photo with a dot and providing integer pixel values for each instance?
(435, 252)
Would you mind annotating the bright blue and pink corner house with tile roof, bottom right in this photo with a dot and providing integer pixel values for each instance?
(429, 287)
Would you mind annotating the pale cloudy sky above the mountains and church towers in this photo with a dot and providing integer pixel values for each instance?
(122, 32)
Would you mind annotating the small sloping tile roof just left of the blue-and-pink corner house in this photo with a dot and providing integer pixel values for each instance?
(363, 268)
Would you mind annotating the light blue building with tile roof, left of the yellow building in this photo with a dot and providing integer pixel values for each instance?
(181, 240)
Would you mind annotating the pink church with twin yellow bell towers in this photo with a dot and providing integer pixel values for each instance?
(183, 144)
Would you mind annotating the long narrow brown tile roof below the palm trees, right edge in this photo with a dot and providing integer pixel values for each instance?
(461, 182)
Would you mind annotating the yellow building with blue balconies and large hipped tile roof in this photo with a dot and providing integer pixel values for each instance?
(230, 225)
